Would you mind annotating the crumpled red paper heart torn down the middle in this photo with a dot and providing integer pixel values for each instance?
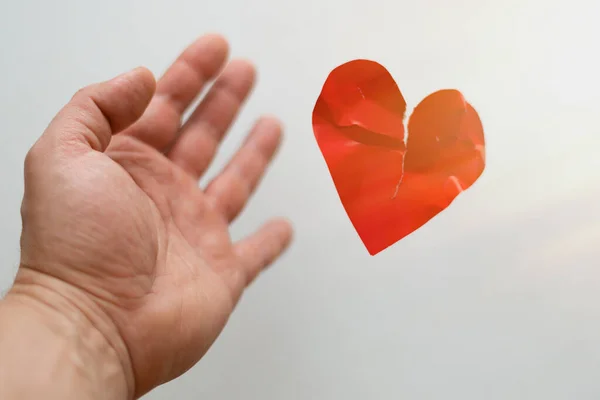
(390, 186)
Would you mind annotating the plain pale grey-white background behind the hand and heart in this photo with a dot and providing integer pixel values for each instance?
(496, 298)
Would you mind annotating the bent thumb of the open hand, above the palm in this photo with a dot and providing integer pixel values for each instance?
(98, 111)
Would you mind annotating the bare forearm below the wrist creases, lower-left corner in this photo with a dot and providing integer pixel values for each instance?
(45, 354)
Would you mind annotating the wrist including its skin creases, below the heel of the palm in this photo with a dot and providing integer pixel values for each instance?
(54, 344)
